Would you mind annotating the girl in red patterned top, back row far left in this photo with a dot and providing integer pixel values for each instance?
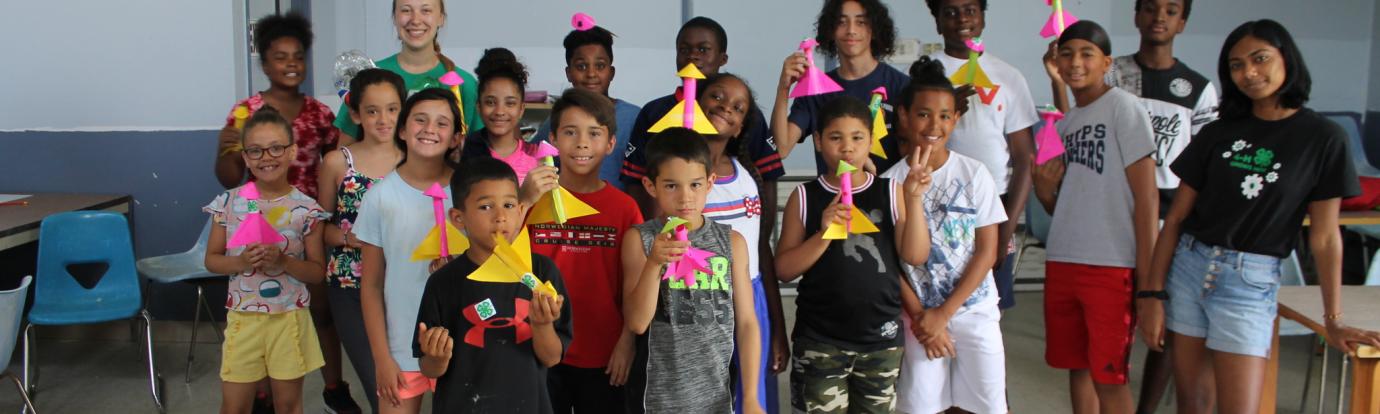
(282, 42)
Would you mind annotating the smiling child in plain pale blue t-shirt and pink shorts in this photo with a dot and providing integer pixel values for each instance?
(394, 219)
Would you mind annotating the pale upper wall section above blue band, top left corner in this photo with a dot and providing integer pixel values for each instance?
(117, 66)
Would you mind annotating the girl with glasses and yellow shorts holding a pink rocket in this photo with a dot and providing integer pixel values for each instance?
(268, 333)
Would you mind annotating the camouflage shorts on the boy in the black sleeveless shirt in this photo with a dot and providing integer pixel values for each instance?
(827, 379)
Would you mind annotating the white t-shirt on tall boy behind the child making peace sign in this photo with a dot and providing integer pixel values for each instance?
(992, 114)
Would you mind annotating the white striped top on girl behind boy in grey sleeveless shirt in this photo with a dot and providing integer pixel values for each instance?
(735, 201)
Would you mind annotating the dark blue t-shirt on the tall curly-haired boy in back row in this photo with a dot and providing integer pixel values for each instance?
(805, 111)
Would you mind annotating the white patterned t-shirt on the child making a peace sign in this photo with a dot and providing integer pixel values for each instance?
(963, 199)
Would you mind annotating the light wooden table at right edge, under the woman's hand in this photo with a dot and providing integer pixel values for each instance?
(1361, 310)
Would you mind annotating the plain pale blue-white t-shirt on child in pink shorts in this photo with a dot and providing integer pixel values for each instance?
(397, 217)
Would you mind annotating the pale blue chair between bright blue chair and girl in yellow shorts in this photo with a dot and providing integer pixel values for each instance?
(187, 267)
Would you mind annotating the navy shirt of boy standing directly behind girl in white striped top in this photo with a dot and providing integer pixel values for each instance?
(761, 148)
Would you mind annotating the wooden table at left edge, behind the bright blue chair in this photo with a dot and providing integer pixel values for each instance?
(20, 224)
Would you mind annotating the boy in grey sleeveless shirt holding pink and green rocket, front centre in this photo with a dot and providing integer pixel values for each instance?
(687, 333)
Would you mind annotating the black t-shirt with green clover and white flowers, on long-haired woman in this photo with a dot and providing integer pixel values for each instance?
(1255, 179)
